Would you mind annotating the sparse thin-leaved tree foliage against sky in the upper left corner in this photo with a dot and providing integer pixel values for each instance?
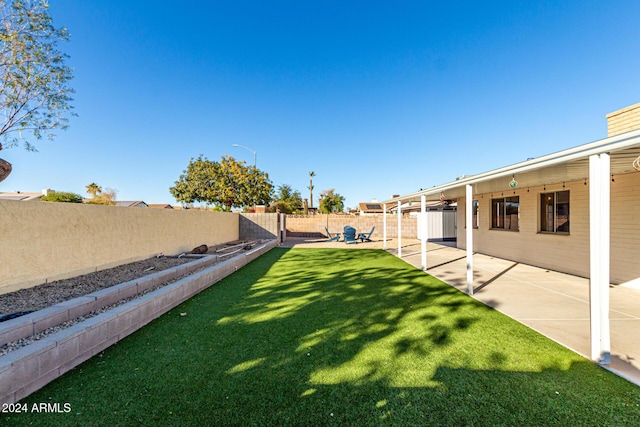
(34, 80)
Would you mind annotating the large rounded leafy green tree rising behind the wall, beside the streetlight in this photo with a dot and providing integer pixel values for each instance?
(224, 184)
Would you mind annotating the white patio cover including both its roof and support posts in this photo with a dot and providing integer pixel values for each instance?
(596, 162)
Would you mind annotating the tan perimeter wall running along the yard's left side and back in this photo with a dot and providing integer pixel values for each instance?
(41, 242)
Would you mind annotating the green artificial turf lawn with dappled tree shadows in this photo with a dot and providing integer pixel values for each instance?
(335, 337)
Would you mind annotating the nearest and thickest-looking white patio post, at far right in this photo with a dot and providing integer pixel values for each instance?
(599, 241)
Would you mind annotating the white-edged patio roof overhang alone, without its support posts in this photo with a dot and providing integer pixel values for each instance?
(563, 166)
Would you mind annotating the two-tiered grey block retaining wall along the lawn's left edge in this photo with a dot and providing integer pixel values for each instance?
(29, 368)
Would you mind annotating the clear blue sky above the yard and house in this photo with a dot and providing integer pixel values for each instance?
(376, 97)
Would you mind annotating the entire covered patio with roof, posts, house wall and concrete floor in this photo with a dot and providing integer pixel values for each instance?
(597, 254)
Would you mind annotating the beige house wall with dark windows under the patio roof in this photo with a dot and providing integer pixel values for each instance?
(565, 253)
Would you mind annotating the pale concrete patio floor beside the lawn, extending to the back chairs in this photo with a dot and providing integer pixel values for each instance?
(552, 303)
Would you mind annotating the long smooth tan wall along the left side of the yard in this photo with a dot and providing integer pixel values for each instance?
(42, 241)
